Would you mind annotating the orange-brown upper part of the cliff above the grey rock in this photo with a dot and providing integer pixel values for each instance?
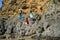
(12, 6)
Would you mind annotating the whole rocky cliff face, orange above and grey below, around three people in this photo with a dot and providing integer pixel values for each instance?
(46, 21)
